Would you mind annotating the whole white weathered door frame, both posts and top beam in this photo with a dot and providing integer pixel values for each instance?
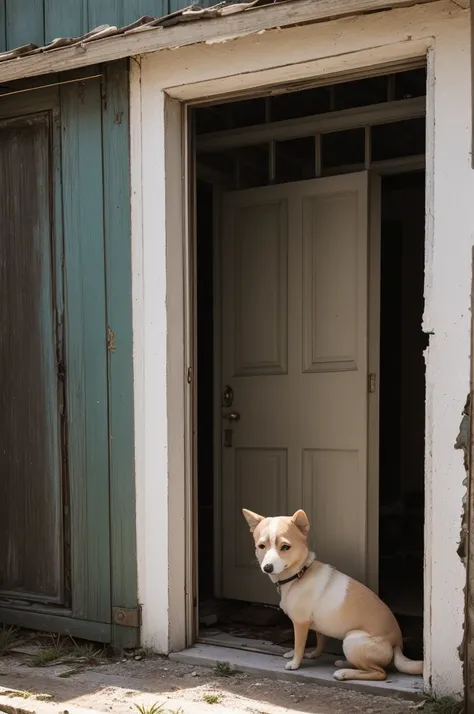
(161, 269)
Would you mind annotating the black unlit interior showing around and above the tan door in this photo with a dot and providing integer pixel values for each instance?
(402, 380)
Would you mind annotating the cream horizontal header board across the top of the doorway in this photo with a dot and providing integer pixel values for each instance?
(311, 52)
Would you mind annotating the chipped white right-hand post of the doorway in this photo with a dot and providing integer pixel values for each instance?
(450, 208)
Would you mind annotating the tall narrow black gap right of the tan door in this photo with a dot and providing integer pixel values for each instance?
(402, 399)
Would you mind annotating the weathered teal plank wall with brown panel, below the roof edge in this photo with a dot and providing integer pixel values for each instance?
(70, 559)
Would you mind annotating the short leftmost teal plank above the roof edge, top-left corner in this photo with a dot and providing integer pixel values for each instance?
(24, 22)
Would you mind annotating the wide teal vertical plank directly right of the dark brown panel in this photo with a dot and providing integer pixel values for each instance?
(86, 377)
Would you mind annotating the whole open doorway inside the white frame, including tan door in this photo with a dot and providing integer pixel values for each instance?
(255, 155)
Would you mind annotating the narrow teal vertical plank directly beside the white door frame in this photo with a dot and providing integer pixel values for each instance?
(116, 161)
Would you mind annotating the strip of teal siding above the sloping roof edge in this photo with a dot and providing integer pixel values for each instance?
(40, 21)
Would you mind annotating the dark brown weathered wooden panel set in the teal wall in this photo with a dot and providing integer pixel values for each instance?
(30, 401)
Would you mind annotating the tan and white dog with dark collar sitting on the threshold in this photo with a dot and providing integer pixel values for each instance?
(316, 596)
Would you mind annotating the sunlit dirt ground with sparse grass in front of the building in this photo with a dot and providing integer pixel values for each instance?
(124, 685)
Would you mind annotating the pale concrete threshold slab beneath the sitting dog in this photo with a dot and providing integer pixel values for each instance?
(312, 671)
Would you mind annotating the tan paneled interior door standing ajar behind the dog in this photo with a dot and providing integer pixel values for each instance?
(294, 353)
